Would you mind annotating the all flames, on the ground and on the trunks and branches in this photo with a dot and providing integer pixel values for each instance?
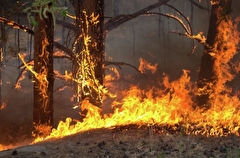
(166, 103)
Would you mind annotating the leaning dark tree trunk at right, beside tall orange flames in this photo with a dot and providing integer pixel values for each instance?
(207, 77)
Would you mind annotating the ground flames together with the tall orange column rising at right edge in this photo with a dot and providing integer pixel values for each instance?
(172, 104)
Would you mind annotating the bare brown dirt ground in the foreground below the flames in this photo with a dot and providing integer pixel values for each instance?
(130, 142)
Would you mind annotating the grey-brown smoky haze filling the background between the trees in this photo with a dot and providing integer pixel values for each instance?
(149, 37)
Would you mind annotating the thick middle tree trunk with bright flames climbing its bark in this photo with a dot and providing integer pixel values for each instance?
(90, 21)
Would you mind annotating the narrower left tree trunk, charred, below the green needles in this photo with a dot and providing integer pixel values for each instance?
(43, 77)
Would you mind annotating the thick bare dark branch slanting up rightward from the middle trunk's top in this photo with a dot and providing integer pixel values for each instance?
(120, 19)
